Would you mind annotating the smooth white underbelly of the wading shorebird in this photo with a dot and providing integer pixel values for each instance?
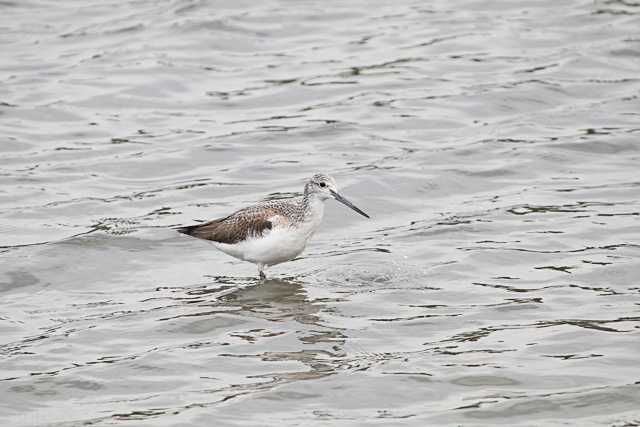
(276, 246)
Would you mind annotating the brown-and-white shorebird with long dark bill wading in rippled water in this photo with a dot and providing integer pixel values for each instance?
(274, 231)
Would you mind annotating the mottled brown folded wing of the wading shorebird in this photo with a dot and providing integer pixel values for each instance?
(232, 229)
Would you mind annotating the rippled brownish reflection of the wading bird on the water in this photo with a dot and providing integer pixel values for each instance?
(267, 308)
